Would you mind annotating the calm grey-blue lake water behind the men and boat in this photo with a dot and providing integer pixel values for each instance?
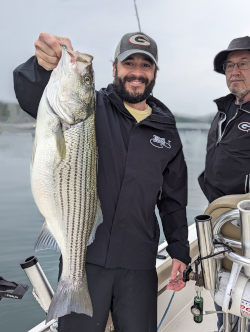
(21, 222)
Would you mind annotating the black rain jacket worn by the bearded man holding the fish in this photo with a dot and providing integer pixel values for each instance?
(140, 165)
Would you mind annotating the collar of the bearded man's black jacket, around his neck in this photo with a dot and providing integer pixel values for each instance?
(160, 113)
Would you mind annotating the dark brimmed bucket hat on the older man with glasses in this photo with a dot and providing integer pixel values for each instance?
(236, 44)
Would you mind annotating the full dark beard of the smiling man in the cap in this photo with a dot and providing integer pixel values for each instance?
(132, 97)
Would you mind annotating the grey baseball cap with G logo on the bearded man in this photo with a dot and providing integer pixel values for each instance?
(136, 42)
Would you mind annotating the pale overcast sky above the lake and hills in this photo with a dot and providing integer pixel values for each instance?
(189, 34)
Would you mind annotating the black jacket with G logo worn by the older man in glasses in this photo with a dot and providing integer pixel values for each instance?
(227, 169)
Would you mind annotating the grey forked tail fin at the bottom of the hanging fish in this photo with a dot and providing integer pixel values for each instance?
(70, 296)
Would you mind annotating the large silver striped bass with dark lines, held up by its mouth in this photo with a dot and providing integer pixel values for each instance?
(64, 177)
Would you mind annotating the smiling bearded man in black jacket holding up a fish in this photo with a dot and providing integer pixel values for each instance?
(140, 165)
